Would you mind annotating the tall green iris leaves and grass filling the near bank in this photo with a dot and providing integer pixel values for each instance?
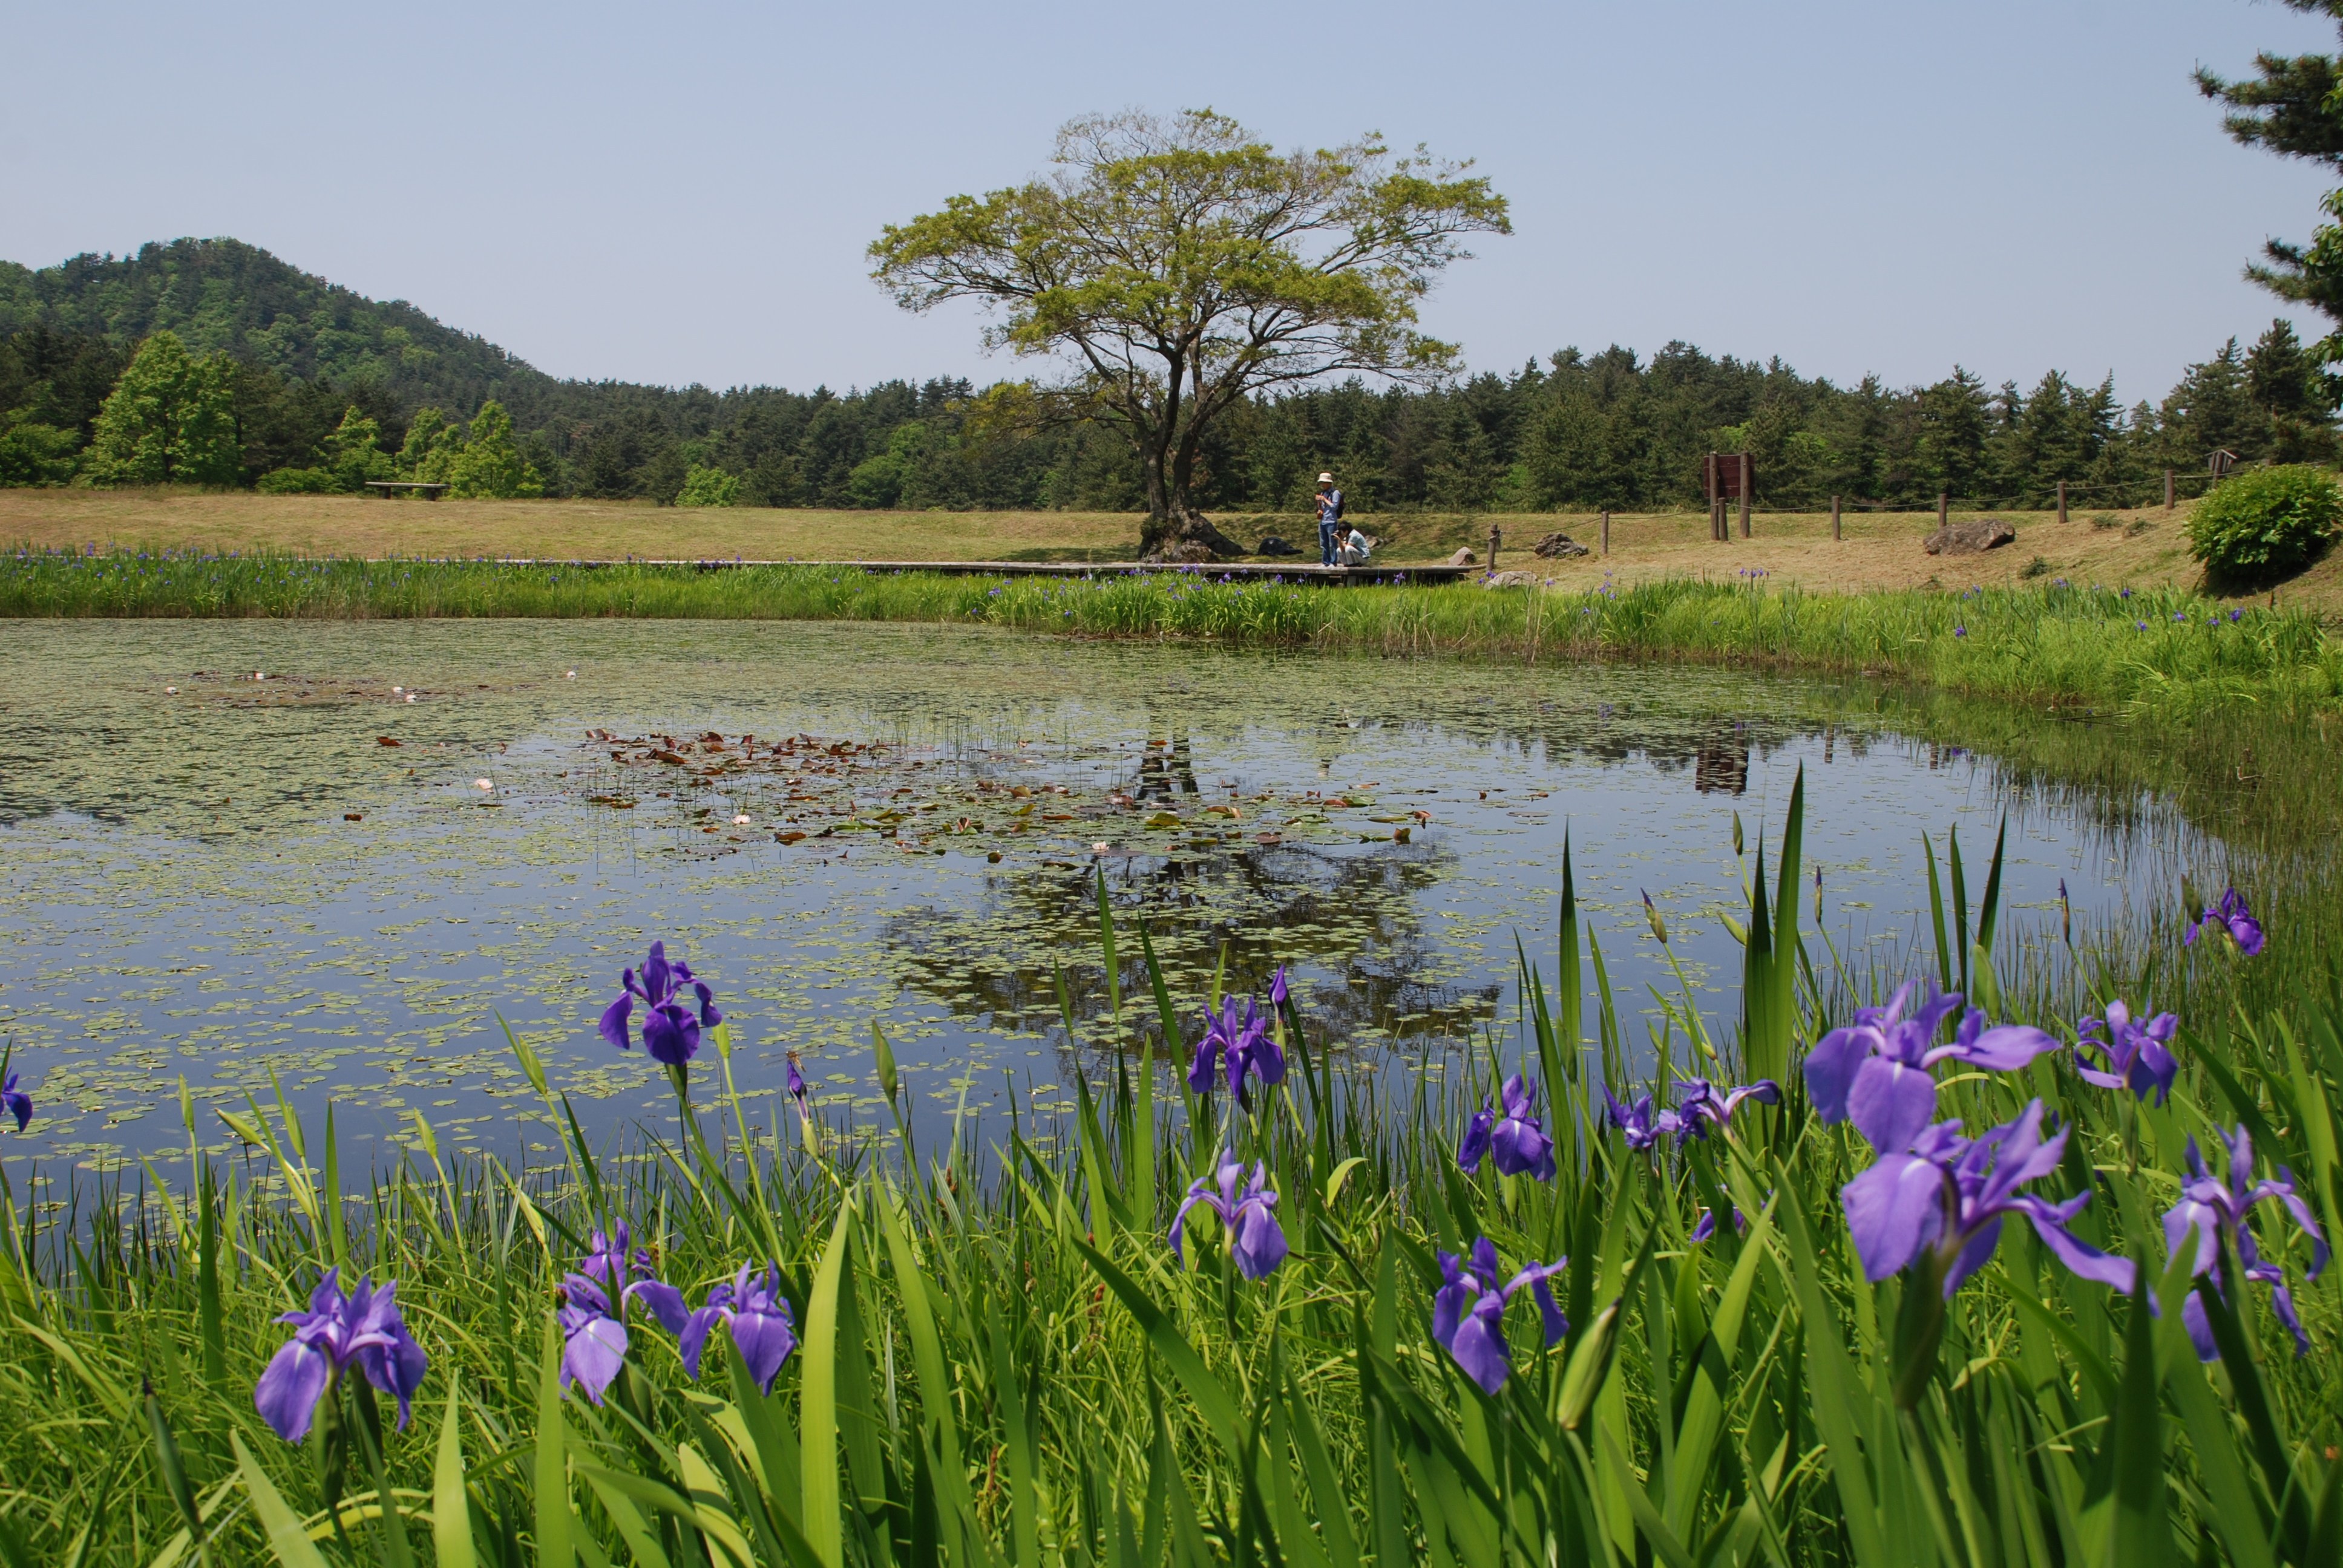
(999, 1361)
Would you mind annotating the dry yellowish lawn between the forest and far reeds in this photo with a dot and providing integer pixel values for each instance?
(1878, 552)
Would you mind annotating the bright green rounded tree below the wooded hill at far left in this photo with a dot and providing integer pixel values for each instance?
(172, 418)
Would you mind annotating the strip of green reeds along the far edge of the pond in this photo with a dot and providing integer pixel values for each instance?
(2058, 646)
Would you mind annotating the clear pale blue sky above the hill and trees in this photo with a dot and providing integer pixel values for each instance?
(683, 191)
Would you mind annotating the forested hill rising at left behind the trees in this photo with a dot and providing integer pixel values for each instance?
(224, 294)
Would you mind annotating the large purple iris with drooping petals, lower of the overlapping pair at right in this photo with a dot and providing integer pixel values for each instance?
(1948, 1197)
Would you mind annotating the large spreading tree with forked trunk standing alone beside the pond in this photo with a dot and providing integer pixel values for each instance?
(1180, 266)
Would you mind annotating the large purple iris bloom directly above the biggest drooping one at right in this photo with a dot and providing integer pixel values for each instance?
(1876, 1072)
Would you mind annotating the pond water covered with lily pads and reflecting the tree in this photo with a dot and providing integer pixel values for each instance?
(221, 868)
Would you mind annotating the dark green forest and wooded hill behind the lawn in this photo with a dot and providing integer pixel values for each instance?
(210, 362)
